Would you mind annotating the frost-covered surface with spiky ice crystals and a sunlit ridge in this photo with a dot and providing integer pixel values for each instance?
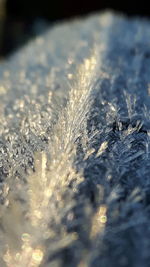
(74, 146)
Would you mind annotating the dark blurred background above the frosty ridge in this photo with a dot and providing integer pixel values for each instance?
(21, 20)
